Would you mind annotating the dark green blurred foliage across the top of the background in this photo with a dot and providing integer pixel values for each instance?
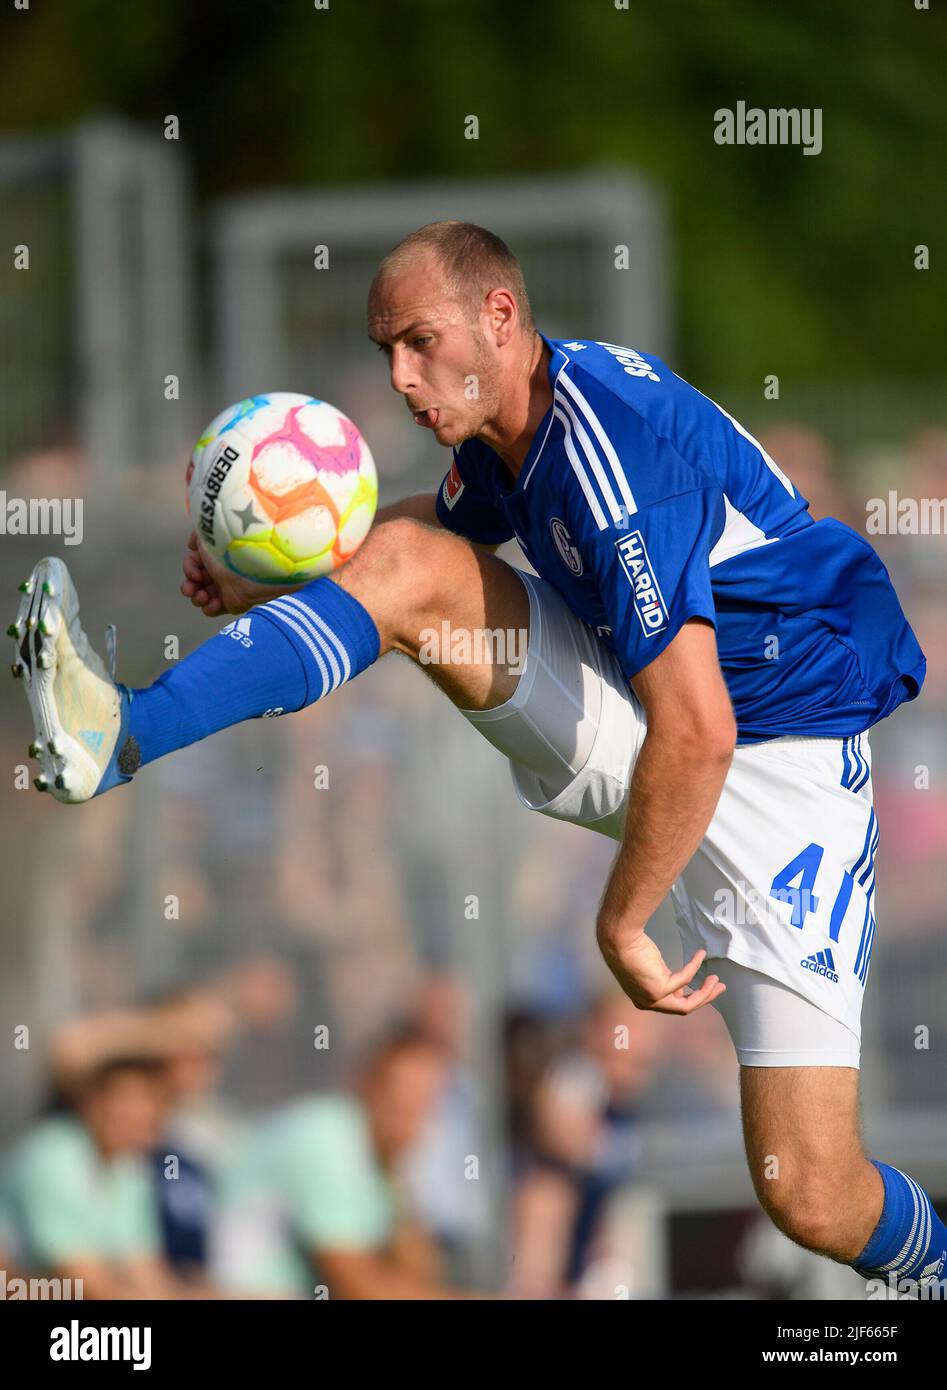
(802, 263)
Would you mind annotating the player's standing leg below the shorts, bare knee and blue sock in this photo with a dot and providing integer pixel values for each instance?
(814, 1179)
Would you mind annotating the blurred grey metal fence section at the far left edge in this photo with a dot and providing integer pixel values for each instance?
(95, 315)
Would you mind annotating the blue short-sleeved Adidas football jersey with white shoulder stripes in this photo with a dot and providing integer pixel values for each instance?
(647, 505)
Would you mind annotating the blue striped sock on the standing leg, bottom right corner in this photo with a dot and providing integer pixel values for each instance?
(910, 1241)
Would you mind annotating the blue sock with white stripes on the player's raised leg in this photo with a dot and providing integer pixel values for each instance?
(275, 660)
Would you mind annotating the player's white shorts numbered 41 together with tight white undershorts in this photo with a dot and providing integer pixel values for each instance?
(781, 890)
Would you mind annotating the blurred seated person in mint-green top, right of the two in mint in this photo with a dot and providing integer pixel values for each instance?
(314, 1200)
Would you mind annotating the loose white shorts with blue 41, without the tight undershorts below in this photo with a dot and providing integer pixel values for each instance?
(785, 878)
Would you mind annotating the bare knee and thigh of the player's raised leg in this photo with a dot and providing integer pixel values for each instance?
(458, 611)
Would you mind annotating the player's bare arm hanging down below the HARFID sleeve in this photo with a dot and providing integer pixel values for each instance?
(674, 794)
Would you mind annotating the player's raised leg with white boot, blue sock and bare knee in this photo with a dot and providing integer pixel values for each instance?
(408, 578)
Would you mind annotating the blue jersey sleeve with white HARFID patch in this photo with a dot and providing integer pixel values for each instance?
(654, 573)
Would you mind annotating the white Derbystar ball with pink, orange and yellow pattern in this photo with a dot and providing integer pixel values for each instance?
(283, 489)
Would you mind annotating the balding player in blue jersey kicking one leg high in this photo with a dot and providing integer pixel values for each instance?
(704, 664)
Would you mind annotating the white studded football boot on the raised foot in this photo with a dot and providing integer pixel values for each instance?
(80, 712)
